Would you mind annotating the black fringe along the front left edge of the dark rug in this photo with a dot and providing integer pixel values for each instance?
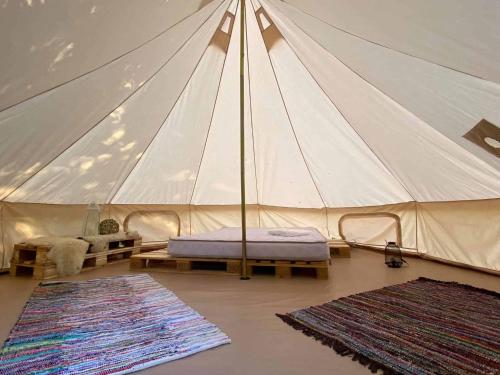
(338, 346)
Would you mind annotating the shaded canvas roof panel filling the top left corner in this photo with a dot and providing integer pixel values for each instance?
(45, 43)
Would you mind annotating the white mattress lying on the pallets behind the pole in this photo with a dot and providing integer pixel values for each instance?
(262, 243)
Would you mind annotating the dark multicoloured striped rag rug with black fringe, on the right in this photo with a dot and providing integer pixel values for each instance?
(420, 327)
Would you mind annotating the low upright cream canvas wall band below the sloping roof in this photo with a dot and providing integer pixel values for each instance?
(463, 232)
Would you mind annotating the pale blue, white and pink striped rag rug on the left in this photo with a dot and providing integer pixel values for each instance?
(115, 325)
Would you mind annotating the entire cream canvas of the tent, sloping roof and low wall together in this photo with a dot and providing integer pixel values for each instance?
(350, 108)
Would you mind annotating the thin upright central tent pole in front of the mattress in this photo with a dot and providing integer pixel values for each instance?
(244, 275)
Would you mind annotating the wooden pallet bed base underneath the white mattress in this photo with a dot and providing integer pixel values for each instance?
(283, 269)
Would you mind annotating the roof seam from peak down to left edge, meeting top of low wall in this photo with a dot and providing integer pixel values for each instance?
(113, 109)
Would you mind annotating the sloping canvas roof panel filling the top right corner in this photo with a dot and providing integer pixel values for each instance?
(462, 35)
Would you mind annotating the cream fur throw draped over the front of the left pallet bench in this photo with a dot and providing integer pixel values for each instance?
(67, 253)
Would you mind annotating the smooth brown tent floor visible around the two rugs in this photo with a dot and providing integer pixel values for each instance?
(244, 310)
